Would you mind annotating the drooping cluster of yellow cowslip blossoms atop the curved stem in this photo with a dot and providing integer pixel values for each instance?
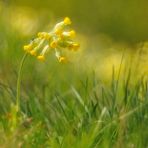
(57, 39)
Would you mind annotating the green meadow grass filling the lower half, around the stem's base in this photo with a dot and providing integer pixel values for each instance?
(87, 113)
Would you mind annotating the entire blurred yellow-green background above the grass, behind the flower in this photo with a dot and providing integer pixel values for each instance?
(107, 31)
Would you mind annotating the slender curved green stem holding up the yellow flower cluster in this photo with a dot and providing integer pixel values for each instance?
(19, 82)
